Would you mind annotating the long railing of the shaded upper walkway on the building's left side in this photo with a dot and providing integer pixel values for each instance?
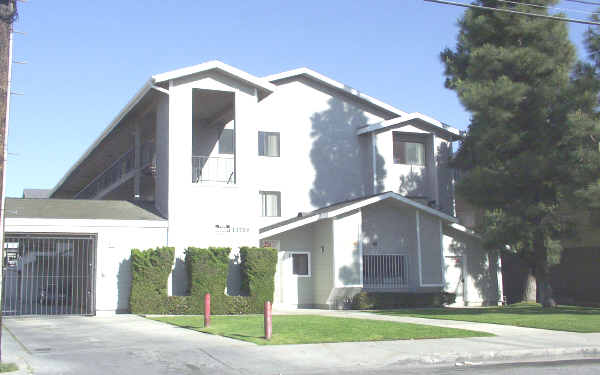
(117, 170)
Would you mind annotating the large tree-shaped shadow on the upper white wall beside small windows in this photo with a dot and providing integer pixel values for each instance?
(340, 166)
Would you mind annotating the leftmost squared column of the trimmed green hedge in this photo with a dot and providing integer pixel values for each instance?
(150, 271)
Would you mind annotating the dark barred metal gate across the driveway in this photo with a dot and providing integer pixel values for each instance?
(49, 274)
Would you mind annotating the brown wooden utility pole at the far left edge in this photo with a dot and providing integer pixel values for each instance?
(8, 13)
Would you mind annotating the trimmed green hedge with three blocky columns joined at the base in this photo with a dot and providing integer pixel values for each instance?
(207, 273)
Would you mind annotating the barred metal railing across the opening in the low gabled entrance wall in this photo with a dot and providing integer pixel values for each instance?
(385, 271)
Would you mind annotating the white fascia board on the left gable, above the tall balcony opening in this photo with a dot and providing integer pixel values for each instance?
(216, 65)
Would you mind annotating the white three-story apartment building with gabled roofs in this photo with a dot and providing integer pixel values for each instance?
(354, 193)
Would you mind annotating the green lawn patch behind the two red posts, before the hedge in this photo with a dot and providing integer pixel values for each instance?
(310, 329)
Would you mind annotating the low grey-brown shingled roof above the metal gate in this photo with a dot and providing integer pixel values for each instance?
(76, 209)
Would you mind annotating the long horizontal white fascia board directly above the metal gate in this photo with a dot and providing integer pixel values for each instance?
(13, 223)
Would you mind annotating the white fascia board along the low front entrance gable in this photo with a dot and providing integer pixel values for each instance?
(351, 207)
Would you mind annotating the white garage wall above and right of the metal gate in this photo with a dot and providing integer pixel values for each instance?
(115, 239)
